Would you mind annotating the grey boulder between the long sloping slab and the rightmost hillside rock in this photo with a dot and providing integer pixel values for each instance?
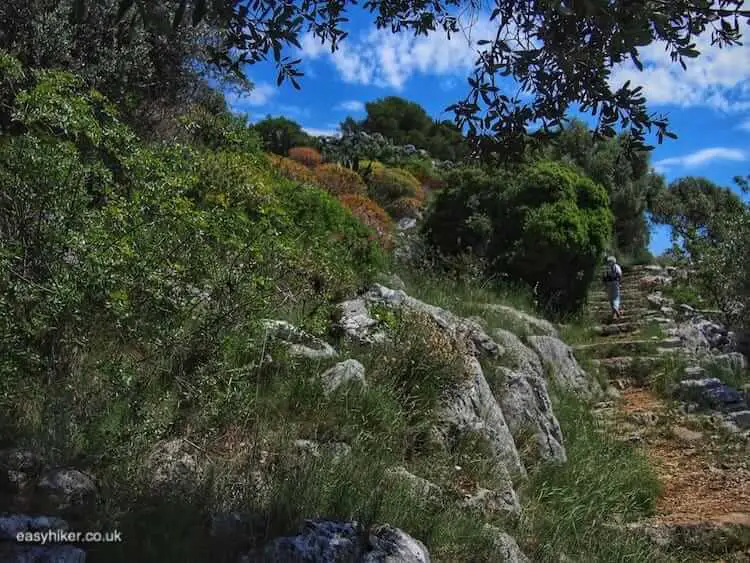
(526, 405)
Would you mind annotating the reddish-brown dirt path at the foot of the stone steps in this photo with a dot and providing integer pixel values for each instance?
(704, 470)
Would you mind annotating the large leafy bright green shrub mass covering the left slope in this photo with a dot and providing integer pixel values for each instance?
(105, 240)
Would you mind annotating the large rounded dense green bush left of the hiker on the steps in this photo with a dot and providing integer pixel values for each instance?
(547, 227)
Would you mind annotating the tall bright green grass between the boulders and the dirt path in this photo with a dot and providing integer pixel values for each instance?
(567, 506)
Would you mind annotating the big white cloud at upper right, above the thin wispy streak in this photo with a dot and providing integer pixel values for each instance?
(718, 79)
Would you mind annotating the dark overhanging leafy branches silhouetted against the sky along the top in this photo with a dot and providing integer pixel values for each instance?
(561, 52)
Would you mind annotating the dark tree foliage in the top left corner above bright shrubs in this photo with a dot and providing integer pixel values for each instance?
(151, 73)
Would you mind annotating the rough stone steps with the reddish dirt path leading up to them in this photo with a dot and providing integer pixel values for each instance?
(706, 486)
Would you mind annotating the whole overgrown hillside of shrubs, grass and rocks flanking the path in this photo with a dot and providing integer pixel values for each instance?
(212, 332)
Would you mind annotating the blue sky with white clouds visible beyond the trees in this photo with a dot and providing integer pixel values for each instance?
(708, 105)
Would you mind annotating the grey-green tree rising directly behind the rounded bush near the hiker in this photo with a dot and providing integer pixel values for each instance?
(631, 184)
